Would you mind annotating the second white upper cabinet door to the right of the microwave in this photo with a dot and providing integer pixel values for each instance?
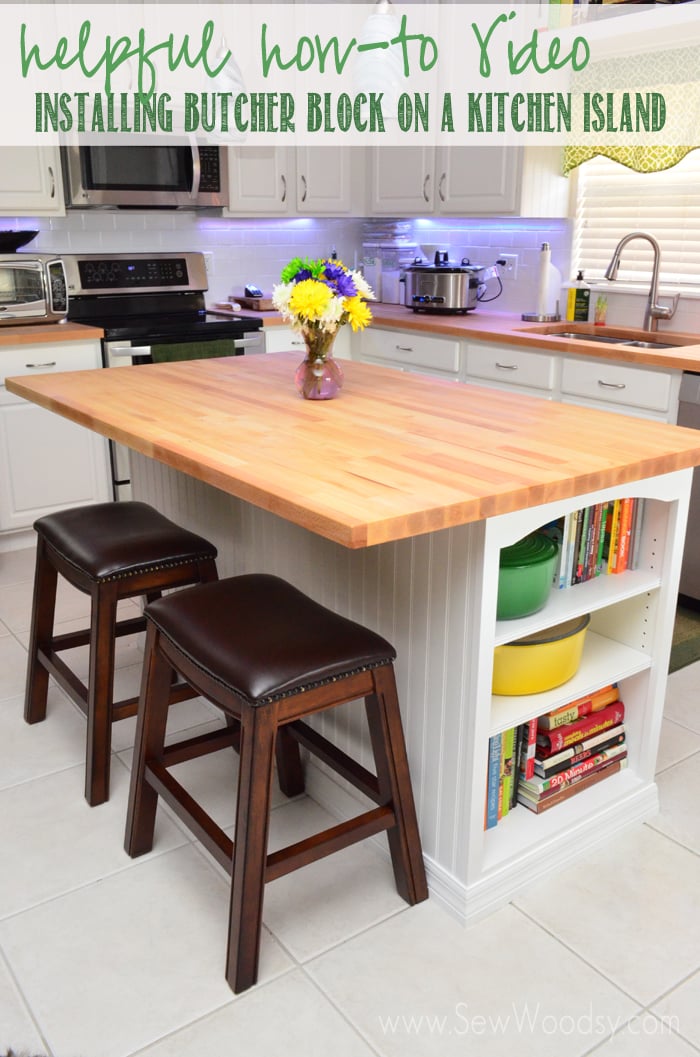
(324, 181)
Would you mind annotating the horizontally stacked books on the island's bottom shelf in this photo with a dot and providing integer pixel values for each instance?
(576, 748)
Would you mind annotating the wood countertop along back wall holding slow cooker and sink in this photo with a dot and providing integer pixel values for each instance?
(508, 328)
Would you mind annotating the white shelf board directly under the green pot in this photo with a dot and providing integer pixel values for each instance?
(587, 598)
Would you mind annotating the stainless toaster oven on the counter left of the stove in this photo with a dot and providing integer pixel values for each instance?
(33, 289)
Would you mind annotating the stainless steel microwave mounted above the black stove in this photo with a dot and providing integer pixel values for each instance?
(169, 177)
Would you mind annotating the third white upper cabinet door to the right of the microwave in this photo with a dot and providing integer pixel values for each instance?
(401, 180)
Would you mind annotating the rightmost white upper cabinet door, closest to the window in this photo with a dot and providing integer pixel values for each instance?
(478, 181)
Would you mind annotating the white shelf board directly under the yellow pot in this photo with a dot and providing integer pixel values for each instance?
(604, 661)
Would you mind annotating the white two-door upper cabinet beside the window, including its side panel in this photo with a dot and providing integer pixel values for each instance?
(467, 181)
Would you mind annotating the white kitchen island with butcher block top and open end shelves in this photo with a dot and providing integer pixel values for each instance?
(391, 505)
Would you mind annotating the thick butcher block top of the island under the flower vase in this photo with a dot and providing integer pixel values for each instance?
(394, 456)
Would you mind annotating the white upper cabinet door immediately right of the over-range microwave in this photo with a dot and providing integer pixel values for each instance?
(261, 181)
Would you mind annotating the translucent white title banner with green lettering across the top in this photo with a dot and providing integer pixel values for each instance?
(352, 75)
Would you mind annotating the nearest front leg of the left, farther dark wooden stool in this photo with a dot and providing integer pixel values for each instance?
(101, 694)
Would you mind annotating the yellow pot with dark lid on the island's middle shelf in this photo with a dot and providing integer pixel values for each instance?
(542, 661)
